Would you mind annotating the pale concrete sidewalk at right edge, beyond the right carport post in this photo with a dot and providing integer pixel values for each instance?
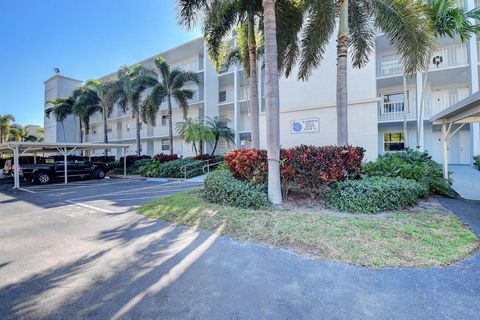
(466, 181)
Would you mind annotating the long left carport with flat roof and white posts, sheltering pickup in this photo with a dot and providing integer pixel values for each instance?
(33, 148)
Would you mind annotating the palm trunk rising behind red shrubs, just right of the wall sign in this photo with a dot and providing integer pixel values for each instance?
(342, 93)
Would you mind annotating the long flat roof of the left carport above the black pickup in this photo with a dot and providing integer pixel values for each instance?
(45, 146)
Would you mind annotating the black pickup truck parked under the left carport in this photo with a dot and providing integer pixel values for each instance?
(53, 168)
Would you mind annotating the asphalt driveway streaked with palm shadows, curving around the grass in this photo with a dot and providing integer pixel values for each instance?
(83, 253)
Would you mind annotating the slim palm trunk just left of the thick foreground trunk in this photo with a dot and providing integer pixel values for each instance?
(254, 117)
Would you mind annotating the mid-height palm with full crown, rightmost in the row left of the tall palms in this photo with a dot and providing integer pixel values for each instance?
(169, 86)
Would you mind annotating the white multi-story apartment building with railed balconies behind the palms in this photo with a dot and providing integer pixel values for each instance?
(378, 103)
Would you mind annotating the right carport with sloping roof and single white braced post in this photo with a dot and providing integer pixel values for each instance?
(463, 112)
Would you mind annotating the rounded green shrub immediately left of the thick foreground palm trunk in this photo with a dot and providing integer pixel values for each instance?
(222, 188)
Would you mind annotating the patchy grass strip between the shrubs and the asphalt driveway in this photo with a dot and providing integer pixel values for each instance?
(421, 239)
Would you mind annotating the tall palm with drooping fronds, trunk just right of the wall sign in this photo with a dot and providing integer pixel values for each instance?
(402, 21)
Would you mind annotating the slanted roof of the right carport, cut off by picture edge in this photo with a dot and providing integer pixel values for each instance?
(464, 111)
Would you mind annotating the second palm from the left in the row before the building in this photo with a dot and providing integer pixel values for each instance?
(86, 104)
